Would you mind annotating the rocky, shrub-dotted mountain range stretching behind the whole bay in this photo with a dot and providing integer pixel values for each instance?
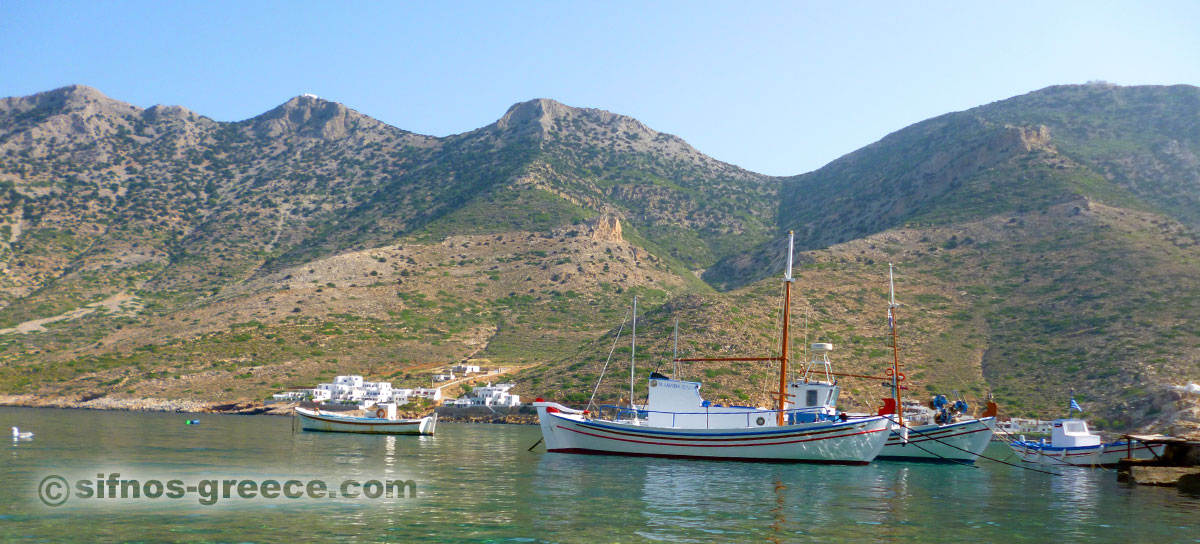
(1045, 243)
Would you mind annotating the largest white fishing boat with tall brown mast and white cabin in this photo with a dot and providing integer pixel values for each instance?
(676, 422)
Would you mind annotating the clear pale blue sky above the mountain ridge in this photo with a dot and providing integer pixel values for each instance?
(779, 88)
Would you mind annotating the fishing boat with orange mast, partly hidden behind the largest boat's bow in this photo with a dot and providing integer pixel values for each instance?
(944, 434)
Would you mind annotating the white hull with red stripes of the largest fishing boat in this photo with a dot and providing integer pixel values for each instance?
(855, 443)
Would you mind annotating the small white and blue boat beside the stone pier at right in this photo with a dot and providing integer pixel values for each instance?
(1073, 445)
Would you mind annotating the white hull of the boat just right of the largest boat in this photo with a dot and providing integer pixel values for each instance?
(963, 443)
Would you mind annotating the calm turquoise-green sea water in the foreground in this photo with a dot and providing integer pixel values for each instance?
(477, 483)
